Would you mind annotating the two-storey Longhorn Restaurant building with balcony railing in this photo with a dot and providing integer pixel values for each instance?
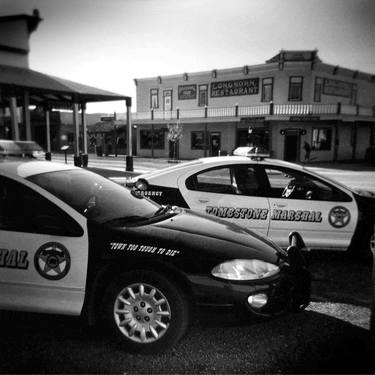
(291, 103)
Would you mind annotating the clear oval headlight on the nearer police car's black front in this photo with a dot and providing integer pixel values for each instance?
(244, 269)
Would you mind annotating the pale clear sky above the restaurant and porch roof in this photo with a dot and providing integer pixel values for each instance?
(108, 43)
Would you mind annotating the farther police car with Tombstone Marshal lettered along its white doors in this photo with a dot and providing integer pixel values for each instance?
(271, 196)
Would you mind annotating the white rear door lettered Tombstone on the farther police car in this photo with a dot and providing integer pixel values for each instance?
(229, 192)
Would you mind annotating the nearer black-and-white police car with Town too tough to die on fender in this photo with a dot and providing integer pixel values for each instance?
(75, 243)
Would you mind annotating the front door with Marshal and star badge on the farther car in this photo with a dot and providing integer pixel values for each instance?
(323, 214)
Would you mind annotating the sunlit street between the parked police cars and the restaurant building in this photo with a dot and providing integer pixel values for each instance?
(357, 176)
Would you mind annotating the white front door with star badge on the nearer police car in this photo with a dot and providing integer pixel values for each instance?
(43, 251)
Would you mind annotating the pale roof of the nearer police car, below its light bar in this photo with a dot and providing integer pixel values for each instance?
(25, 168)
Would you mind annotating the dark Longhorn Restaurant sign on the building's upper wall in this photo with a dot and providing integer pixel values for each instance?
(248, 86)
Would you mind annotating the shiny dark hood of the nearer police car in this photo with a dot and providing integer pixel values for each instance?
(193, 231)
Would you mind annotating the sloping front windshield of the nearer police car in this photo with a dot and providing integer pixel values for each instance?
(94, 196)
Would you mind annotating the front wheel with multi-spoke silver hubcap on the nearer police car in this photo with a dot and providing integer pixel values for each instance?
(145, 312)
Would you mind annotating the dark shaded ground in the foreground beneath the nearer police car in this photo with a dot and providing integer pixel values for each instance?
(306, 342)
